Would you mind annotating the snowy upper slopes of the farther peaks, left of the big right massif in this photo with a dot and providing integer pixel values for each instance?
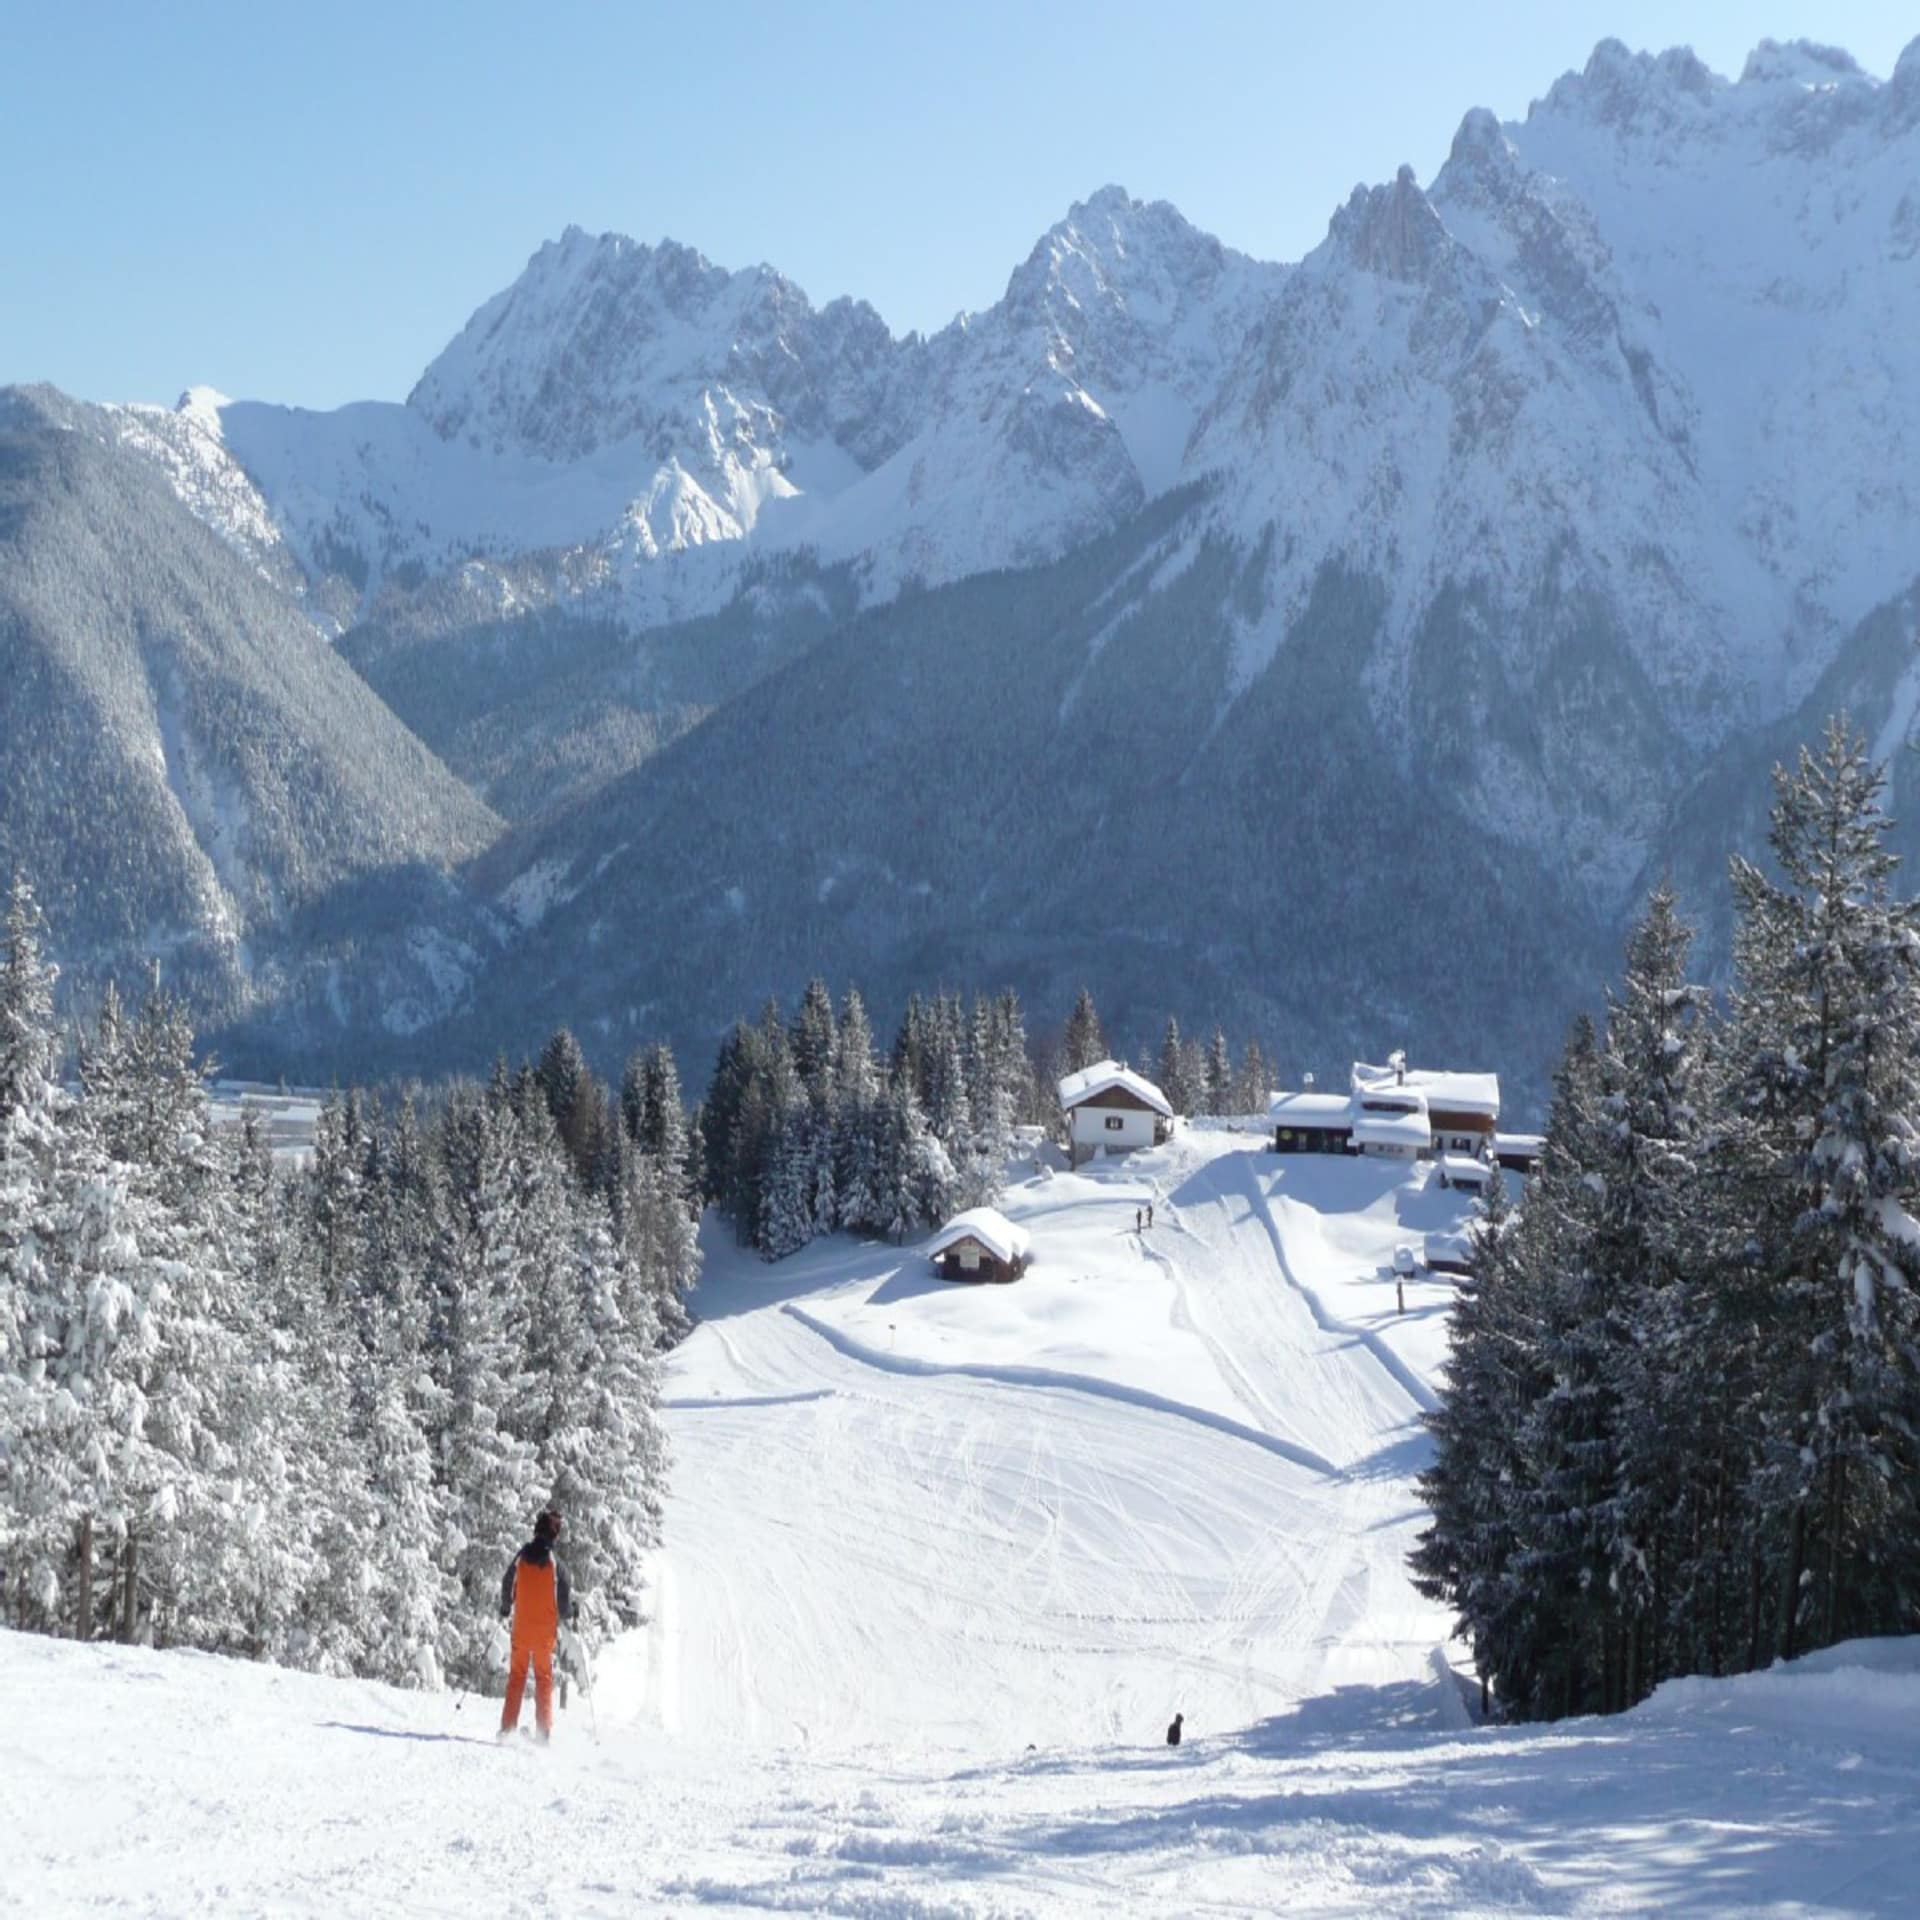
(640, 404)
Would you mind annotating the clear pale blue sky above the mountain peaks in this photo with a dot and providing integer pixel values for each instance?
(306, 204)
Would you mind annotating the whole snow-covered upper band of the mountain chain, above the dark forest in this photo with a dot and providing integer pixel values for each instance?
(1654, 348)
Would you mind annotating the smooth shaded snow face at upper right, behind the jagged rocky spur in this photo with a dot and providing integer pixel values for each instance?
(1767, 233)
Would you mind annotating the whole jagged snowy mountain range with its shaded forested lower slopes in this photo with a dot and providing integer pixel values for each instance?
(1541, 498)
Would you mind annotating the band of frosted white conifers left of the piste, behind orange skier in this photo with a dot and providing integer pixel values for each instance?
(306, 1416)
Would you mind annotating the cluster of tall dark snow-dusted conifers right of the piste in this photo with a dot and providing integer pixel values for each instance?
(1683, 1418)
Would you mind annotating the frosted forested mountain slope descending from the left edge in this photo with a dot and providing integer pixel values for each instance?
(189, 769)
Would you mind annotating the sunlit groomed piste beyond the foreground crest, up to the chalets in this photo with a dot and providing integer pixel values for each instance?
(1168, 1470)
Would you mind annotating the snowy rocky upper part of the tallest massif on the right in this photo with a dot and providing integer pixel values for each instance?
(1656, 341)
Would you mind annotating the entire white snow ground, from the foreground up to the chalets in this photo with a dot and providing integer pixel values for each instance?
(942, 1564)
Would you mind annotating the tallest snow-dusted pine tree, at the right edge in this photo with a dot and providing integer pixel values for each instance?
(1825, 1074)
